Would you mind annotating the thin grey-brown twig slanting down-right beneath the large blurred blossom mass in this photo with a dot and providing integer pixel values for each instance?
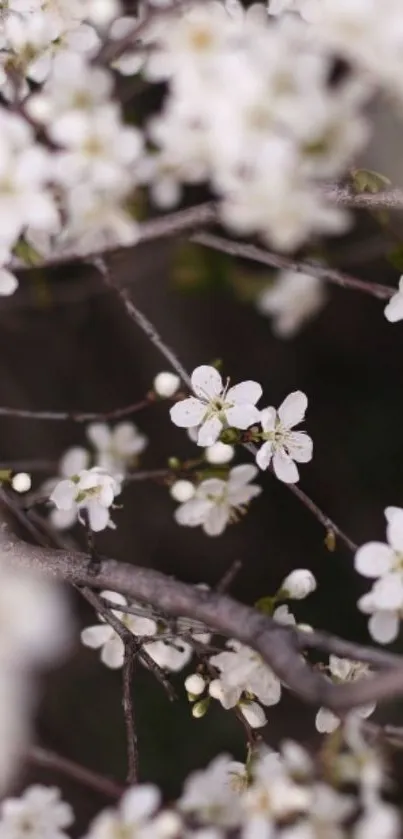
(242, 250)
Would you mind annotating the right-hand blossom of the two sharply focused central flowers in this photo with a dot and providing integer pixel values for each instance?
(282, 445)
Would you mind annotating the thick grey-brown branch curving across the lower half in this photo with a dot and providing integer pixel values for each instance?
(278, 645)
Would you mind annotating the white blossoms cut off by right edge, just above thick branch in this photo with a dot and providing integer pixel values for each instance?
(384, 564)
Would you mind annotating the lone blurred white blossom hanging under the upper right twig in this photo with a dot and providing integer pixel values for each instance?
(292, 300)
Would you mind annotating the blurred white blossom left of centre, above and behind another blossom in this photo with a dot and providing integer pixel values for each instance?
(117, 448)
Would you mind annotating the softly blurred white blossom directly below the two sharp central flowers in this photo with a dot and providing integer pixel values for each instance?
(217, 502)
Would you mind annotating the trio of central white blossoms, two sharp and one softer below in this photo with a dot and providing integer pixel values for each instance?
(217, 407)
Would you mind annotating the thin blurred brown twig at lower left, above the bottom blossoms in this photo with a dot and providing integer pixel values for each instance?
(86, 777)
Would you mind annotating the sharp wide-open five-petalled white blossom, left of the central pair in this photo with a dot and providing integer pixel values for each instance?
(216, 406)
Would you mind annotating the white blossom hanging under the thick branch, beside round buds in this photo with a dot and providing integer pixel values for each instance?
(241, 670)
